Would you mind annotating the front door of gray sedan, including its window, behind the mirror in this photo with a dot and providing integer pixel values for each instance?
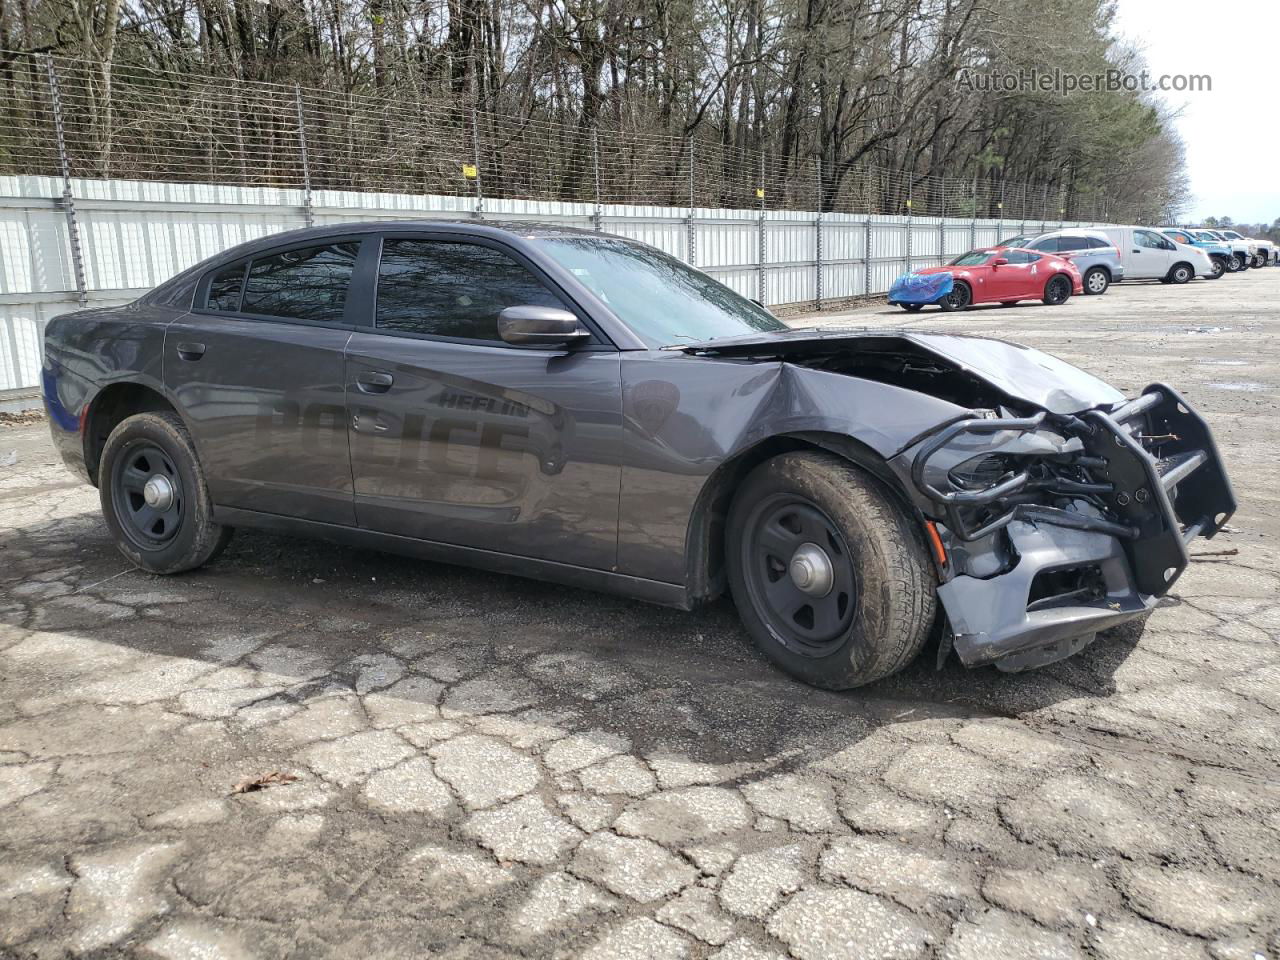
(458, 437)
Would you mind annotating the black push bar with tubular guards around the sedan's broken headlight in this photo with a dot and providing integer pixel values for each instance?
(1145, 472)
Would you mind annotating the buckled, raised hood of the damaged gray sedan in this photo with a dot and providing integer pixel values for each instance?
(1021, 373)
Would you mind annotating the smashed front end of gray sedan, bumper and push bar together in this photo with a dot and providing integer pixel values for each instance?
(1057, 527)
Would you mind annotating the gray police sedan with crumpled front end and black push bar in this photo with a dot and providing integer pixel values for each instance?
(587, 410)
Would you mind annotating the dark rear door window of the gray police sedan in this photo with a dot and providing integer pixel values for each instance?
(309, 284)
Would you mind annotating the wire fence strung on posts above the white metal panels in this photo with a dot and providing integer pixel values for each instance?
(129, 124)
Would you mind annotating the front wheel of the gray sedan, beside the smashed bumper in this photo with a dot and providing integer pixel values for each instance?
(829, 574)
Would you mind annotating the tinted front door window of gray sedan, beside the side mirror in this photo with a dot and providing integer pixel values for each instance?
(442, 289)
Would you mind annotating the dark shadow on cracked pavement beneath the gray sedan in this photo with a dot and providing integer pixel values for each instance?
(309, 620)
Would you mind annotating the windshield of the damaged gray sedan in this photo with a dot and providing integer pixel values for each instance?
(661, 299)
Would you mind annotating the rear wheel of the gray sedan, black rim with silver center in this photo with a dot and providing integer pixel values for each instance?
(154, 496)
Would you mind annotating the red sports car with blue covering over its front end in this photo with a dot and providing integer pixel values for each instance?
(993, 276)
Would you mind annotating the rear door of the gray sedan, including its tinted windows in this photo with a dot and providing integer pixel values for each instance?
(258, 372)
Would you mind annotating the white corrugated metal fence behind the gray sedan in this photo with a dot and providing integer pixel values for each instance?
(136, 235)
